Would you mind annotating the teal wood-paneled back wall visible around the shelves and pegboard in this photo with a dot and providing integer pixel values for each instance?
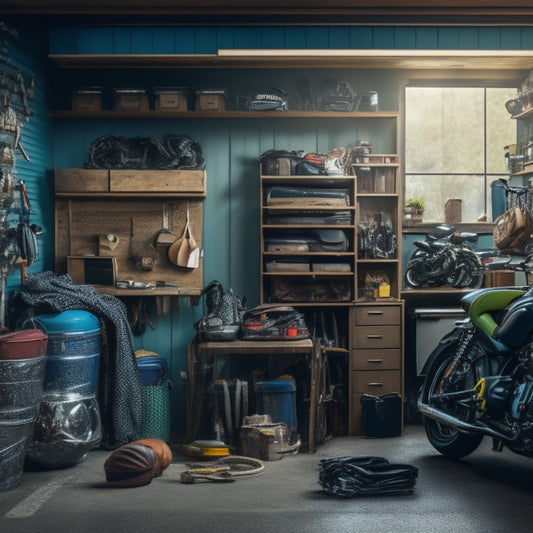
(231, 225)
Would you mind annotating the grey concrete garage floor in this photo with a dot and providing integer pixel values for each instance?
(486, 492)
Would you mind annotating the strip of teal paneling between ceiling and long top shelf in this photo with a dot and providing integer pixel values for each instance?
(207, 40)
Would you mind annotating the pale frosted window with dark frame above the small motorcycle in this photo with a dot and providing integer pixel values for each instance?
(454, 146)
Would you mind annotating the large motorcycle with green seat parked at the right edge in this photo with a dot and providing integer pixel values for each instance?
(479, 379)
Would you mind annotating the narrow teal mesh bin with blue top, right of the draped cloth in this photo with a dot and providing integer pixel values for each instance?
(155, 393)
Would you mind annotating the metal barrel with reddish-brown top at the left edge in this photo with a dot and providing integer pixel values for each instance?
(22, 364)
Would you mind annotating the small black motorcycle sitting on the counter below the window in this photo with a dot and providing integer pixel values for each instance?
(445, 257)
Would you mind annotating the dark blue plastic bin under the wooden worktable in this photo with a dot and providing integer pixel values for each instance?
(277, 398)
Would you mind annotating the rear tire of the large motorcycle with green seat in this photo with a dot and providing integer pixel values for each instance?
(446, 440)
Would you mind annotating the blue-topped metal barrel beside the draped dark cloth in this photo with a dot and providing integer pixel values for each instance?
(68, 424)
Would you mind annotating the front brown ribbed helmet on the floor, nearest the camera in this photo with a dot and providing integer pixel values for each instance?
(131, 465)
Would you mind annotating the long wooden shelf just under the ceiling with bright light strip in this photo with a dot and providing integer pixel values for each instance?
(440, 60)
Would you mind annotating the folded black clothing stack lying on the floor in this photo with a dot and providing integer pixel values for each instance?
(348, 477)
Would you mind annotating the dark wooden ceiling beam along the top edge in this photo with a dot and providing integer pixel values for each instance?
(275, 12)
